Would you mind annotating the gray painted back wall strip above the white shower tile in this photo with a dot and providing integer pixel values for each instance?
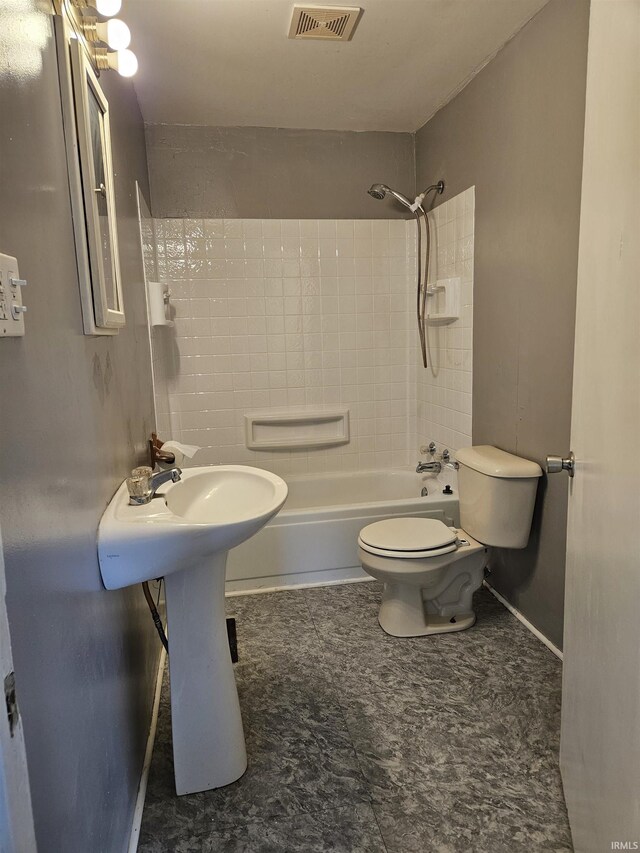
(249, 172)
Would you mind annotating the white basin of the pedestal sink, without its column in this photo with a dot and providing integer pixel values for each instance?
(210, 509)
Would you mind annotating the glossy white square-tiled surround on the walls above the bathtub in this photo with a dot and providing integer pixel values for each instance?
(299, 314)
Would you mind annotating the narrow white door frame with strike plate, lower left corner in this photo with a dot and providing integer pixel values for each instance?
(17, 834)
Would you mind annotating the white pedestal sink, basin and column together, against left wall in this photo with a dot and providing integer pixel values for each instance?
(184, 534)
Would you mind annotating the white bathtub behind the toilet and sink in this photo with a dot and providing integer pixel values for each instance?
(313, 540)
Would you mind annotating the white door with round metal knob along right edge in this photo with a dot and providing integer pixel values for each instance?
(600, 746)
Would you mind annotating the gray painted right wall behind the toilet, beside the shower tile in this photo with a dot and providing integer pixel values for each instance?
(516, 132)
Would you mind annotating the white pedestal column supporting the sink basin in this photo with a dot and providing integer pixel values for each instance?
(208, 739)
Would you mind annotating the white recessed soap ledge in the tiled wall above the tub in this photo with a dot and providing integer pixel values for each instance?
(300, 429)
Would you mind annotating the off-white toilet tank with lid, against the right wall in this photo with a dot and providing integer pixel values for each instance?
(497, 492)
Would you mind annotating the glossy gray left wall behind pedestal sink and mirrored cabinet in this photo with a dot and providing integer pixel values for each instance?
(74, 414)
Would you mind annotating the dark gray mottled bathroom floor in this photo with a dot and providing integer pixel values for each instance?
(363, 743)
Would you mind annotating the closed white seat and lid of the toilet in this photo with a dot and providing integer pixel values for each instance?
(408, 538)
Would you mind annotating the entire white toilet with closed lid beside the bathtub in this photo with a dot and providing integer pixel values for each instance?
(430, 571)
